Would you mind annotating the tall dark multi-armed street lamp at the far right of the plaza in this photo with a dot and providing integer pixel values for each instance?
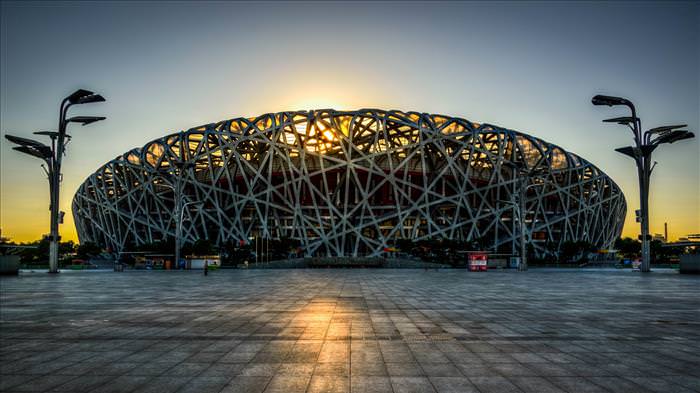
(645, 144)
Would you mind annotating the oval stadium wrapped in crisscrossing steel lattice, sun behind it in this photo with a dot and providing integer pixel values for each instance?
(350, 183)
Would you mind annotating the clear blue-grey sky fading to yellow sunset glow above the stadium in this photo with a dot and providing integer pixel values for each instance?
(528, 66)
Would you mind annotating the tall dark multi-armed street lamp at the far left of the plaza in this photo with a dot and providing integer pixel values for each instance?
(53, 156)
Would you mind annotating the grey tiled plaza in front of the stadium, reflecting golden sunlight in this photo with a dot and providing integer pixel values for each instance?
(359, 330)
